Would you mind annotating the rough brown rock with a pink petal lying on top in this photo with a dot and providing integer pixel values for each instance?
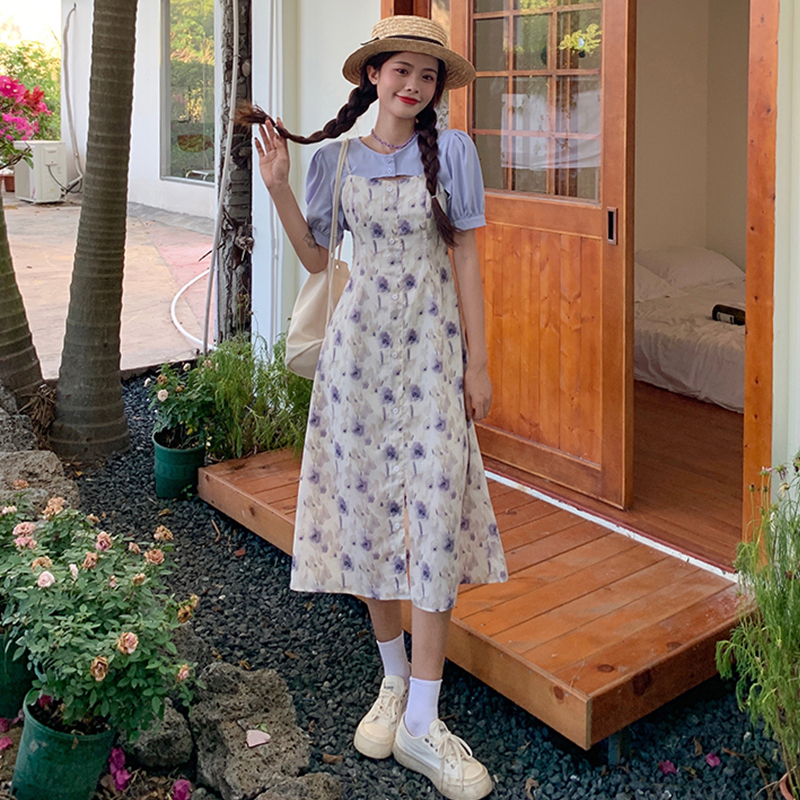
(233, 701)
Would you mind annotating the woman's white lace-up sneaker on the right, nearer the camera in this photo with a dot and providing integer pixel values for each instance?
(445, 759)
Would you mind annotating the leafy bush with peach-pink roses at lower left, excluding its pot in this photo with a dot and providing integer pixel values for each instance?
(90, 611)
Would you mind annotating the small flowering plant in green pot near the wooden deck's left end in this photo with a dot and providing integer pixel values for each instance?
(182, 404)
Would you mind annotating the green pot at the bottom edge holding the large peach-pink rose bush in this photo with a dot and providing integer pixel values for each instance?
(58, 766)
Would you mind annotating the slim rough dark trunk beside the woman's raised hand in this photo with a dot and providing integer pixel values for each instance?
(234, 303)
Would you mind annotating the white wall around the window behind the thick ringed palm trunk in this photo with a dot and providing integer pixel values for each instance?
(146, 185)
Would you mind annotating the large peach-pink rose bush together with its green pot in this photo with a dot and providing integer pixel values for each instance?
(91, 612)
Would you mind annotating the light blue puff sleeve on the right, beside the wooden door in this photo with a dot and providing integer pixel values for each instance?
(462, 180)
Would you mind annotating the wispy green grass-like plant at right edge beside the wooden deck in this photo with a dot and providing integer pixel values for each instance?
(764, 646)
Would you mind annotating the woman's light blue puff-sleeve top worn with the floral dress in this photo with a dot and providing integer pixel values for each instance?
(459, 176)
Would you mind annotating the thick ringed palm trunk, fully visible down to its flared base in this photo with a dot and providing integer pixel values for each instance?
(90, 417)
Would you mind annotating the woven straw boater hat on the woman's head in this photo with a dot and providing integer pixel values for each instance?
(406, 33)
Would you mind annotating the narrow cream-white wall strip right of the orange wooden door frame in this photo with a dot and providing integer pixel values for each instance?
(786, 347)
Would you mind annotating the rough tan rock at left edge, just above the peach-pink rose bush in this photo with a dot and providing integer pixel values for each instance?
(44, 473)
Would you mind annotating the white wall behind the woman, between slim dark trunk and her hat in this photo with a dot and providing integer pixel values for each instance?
(315, 38)
